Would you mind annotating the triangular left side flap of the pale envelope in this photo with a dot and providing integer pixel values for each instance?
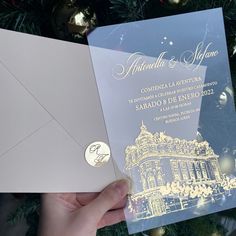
(21, 115)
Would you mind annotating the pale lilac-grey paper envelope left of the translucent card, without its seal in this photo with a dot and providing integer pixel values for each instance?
(49, 113)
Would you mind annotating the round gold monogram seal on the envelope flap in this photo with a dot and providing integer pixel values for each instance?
(97, 154)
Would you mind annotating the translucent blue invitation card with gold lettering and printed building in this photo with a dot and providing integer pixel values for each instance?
(167, 100)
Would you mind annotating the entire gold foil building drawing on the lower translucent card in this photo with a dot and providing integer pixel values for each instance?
(172, 174)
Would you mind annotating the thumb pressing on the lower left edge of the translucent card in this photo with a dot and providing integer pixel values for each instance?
(109, 197)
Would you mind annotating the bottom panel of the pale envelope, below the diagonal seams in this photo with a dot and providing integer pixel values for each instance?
(50, 161)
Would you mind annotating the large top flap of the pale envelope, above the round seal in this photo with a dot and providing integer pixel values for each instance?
(60, 76)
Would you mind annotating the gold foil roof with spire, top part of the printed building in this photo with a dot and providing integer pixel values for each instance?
(159, 143)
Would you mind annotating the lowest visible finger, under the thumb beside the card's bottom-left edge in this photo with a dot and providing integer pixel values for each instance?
(111, 218)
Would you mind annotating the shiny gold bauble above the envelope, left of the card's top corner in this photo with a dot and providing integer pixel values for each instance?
(72, 20)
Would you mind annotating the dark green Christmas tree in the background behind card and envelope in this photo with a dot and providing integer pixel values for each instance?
(71, 20)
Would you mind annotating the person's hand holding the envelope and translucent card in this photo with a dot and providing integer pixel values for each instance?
(81, 214)
